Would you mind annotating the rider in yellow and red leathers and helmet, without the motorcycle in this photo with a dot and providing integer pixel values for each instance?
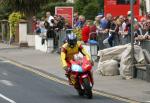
(69, 49)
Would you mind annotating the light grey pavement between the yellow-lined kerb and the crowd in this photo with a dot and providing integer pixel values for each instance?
(132, 89)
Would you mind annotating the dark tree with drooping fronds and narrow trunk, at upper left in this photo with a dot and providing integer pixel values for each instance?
(28, 7)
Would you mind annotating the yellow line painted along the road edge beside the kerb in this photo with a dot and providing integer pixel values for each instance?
(66, 83)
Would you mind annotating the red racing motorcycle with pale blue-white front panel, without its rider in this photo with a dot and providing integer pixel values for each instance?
(80, 76)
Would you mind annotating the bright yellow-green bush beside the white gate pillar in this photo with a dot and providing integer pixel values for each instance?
(14, 19)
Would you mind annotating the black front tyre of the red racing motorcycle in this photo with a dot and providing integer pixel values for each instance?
(88, 88)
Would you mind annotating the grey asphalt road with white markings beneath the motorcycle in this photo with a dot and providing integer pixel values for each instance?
(18, 85)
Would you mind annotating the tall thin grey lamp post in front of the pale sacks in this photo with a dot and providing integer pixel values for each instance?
(132, 39)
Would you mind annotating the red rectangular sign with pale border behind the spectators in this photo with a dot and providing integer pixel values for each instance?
(67, 13)
